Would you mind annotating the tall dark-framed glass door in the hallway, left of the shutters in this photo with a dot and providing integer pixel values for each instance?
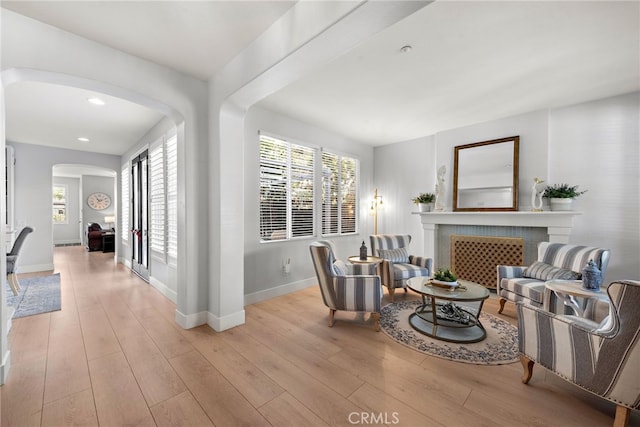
(140, 215)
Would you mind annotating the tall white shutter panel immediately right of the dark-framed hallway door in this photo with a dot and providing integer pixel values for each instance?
(157, 197)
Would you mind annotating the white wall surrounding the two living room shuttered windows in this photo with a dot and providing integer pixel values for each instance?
(263, 276)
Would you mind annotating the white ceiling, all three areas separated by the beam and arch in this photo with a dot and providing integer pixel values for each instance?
(469, 62)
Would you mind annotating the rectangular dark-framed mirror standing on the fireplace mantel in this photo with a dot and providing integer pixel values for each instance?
(485, 175)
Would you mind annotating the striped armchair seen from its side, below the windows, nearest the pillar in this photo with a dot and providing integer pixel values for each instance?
(346, 286)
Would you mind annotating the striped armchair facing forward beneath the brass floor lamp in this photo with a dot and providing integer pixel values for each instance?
(397, 265)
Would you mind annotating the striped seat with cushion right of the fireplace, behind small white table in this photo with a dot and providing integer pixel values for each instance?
(555, 261)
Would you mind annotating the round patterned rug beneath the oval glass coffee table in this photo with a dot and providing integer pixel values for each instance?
(498, 348)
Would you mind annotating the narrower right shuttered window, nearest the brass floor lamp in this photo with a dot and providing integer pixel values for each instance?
(339, 194)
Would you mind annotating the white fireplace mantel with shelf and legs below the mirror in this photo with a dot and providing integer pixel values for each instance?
(558, 224)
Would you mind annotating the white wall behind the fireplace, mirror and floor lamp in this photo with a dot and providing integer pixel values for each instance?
(594, 145)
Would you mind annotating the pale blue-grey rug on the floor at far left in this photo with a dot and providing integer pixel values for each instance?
(37, 295)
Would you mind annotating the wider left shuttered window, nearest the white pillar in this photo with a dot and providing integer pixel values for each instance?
(286, 190)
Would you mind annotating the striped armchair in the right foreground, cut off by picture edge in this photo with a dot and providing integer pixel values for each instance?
(603, 359)
